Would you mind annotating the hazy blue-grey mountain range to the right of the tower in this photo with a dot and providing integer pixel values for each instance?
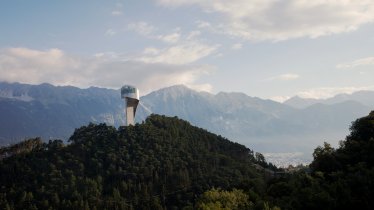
(263, 124)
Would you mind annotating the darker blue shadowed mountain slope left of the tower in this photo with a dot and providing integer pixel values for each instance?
(53, 112)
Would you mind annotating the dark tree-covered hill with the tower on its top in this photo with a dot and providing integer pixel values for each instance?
(163, 162)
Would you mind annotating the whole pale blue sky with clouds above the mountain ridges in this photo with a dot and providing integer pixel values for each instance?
(266, 48)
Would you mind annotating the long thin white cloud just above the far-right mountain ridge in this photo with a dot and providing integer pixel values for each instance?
(327, 92)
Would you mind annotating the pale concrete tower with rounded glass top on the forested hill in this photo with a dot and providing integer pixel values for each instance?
(131, 96)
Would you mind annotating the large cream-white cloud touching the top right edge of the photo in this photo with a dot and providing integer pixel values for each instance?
(281, 20)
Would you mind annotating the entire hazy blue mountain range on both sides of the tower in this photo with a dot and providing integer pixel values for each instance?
(267, 126)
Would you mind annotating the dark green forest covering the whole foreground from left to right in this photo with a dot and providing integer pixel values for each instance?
(165, 163)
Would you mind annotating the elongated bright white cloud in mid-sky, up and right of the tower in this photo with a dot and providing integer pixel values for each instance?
(180, 54)
